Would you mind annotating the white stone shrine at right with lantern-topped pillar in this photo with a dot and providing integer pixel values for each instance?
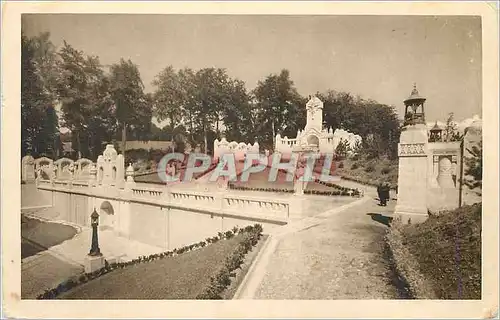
(429, 177)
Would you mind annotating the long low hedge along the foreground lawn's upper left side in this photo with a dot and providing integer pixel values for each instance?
(254, 231)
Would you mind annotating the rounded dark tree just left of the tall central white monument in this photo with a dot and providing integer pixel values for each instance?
(278, 107)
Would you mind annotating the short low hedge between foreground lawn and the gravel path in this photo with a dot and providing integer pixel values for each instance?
(222, 280)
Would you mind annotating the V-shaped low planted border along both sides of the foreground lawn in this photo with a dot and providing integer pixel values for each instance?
(249, 237)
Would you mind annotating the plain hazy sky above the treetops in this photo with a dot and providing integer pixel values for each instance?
(375, 57)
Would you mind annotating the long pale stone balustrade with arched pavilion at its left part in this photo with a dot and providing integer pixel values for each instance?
(105, 179)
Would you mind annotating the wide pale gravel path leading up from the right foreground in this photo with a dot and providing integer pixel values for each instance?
(334, 255)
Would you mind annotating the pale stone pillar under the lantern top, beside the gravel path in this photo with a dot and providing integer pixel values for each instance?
(412, 181)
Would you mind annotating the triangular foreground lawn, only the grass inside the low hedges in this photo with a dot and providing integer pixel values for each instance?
(179, 277)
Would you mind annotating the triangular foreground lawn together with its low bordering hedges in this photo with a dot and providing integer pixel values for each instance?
(203, 270)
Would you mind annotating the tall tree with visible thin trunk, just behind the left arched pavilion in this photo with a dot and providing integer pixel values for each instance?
(132, 108)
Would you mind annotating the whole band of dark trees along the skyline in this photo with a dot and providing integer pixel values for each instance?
(100, 106)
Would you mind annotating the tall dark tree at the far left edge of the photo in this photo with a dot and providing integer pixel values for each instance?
(39, 123)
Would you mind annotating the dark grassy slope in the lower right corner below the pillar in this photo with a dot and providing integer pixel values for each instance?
(448, 251)
